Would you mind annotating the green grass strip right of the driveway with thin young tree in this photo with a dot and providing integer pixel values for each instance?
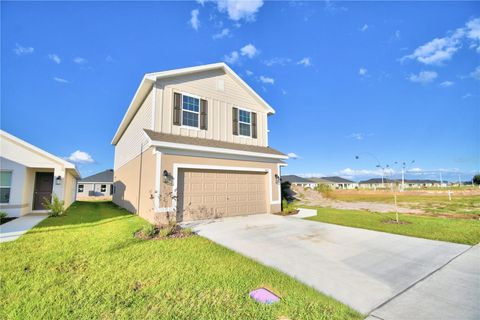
(452, 230)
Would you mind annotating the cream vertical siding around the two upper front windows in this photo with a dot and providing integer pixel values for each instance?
(220, 104)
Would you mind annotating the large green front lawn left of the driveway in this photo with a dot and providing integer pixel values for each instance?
(88, 265)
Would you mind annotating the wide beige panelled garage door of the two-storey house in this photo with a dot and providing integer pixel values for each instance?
(204, 194)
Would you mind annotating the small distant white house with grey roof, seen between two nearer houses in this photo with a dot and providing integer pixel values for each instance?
(96, 187)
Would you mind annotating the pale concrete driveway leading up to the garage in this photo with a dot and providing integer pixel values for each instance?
(361, 268)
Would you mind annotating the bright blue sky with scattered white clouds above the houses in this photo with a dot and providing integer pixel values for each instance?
(399, 81)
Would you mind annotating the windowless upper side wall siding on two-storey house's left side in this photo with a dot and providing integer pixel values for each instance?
(128, 147)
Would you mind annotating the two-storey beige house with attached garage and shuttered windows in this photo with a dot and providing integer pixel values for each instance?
(193, 144)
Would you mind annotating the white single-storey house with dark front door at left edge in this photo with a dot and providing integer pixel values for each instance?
(28, 175)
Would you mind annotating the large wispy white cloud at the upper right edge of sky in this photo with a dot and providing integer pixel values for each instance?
(439, 50)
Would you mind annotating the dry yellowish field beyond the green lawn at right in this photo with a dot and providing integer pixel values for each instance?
(435, 204)
